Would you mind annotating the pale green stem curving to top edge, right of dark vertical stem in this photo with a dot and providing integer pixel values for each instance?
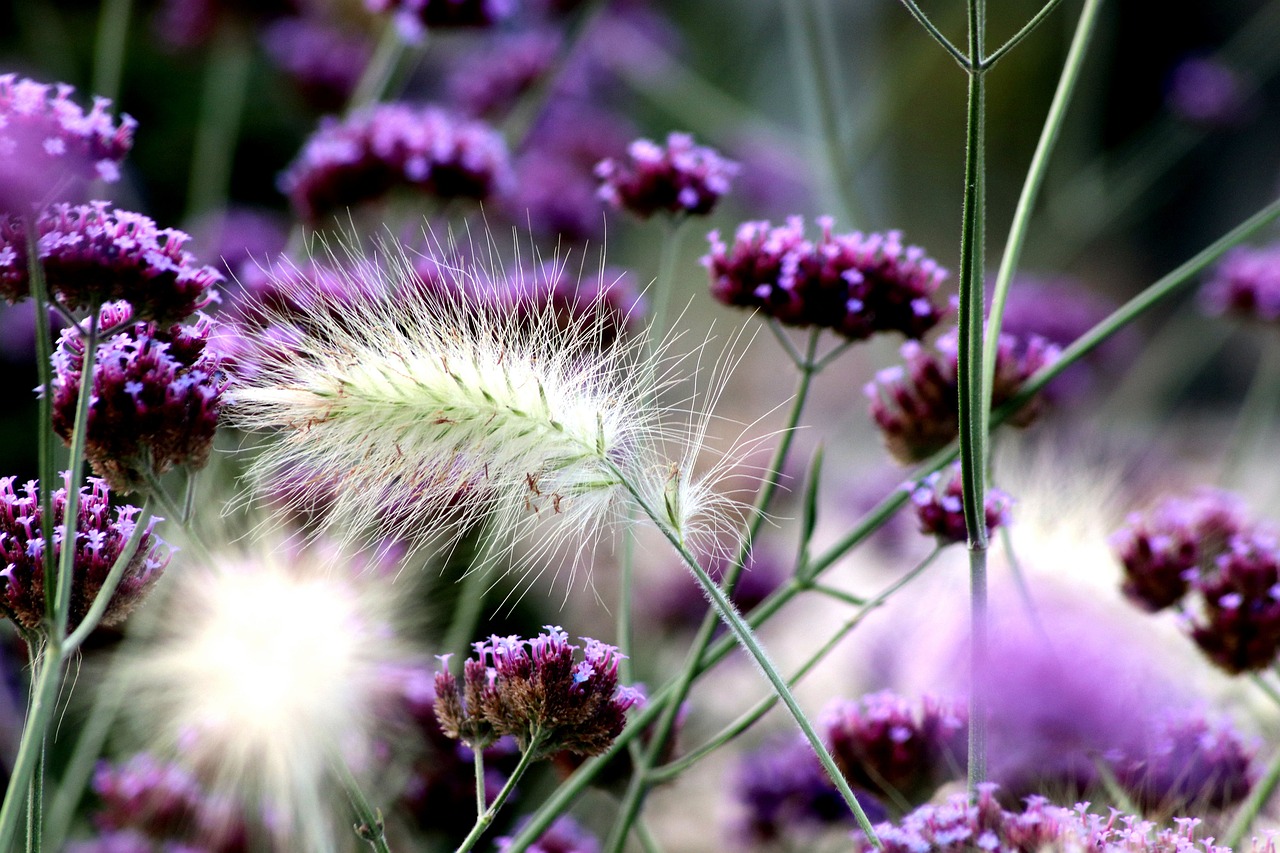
(1032, 185)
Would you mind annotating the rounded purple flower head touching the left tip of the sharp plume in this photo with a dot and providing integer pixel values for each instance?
(156, 402)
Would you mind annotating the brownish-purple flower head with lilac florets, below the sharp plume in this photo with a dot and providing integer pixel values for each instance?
(537, 692)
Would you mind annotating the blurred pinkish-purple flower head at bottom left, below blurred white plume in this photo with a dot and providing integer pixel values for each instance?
(150, 802)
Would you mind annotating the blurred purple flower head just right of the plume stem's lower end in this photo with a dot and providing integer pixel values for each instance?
(895, 749)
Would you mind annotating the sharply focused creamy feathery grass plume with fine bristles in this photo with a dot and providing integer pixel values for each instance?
(426, 412)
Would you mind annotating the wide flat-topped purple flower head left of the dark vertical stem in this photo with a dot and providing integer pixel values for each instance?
(856, 285)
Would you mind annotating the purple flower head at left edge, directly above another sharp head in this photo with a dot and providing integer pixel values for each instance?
(95, 254)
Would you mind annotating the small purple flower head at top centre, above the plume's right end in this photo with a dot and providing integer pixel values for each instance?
(678, 179)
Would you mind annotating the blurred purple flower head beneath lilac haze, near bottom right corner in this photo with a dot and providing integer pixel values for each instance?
(1190, 761)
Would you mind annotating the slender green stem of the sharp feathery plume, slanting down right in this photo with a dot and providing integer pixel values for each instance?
(747, 640)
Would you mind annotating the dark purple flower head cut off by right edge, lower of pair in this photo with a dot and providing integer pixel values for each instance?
(1238, 624)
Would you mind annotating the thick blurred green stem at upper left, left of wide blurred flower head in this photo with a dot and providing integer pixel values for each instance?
(222, 106)
